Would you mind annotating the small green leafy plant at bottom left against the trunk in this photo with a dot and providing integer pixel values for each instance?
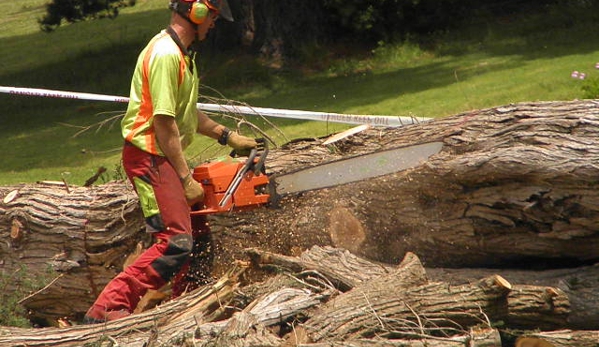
(14, 287)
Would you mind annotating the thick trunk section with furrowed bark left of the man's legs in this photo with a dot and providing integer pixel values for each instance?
(75, 238)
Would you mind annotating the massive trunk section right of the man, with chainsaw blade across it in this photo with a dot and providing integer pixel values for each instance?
(512, 183)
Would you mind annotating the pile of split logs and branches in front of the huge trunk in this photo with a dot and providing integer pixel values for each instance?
(295, 309)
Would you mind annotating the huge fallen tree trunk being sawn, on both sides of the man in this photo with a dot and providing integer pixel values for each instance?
(512, 185)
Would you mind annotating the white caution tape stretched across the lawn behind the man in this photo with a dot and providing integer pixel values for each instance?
(385, 121)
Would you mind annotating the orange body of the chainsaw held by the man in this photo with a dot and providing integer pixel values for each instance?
(217, 176)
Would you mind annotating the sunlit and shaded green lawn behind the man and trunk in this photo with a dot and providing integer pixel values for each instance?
(496, 61)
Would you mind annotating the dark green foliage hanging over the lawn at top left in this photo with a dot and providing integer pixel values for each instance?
(79, 10)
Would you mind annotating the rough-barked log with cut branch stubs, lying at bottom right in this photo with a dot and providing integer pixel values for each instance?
(382, 308)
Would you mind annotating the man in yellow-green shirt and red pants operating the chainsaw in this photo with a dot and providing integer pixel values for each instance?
(161, 121)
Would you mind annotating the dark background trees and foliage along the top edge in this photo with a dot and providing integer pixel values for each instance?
(285, 28)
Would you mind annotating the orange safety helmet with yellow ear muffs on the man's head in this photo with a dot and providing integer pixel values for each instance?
(197, 10)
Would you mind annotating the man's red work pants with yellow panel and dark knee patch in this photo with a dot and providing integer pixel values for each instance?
(167, 216)
